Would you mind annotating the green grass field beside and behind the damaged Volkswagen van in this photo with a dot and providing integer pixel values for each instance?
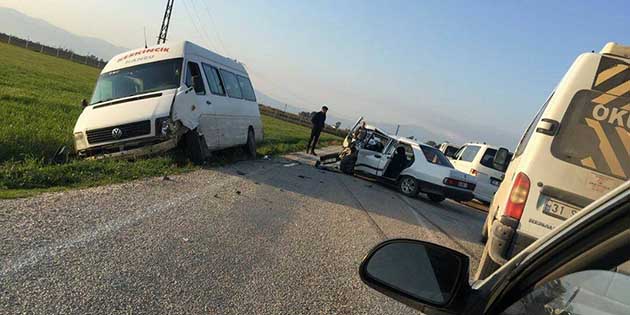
(39, 104)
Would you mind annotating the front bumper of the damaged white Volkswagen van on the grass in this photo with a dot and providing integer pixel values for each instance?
(131, 149)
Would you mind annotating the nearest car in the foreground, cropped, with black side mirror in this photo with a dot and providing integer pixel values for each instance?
(582, 267)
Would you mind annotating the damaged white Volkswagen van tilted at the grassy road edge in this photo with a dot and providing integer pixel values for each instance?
(150, 100)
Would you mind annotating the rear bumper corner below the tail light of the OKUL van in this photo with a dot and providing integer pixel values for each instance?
(505, 241)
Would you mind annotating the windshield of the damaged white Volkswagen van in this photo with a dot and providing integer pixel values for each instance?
(140, 79)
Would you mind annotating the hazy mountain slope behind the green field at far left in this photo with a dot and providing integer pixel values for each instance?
(15, 23)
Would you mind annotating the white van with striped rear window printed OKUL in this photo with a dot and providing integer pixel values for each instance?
(575, 150)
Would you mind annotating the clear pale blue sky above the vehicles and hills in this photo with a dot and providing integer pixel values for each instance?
(469, 70)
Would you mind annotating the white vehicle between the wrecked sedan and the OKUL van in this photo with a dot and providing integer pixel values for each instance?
(477, 159)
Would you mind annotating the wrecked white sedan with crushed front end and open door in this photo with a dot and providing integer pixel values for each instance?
(412, 167)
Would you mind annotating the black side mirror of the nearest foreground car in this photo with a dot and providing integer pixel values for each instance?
(421, 275)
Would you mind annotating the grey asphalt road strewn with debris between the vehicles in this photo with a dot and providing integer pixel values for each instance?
(255, 237)
